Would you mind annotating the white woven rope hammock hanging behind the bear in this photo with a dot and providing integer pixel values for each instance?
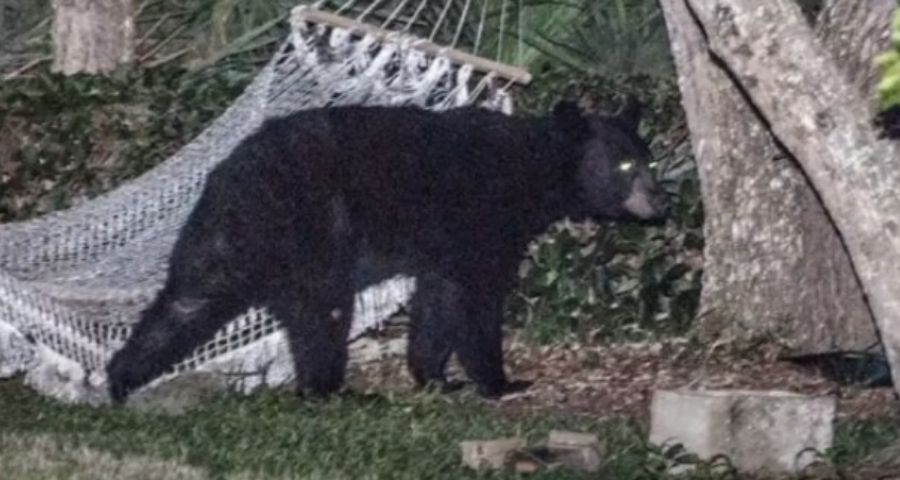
(73, 282)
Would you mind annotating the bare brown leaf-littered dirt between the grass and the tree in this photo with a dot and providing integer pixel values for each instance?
(614, 380)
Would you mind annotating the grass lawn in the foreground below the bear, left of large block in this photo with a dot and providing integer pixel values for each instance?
(276, 435)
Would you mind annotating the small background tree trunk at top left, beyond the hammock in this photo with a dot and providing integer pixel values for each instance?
(92, 36)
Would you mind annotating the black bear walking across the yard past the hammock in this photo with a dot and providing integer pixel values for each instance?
(451, 198)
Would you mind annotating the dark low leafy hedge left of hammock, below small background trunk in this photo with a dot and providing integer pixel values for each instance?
(74, 137)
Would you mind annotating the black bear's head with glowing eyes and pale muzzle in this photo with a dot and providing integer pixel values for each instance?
(613, 175)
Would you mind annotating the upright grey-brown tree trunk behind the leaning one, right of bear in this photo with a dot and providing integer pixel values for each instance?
(774, 264)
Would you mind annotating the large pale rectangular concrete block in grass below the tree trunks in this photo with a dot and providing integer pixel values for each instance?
(760, 431)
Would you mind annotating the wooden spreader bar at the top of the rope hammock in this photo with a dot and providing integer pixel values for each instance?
(515, 74)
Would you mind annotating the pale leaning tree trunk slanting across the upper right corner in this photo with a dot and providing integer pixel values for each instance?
(825, 122)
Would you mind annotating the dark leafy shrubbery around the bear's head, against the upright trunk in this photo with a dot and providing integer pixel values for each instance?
(613, 281)
